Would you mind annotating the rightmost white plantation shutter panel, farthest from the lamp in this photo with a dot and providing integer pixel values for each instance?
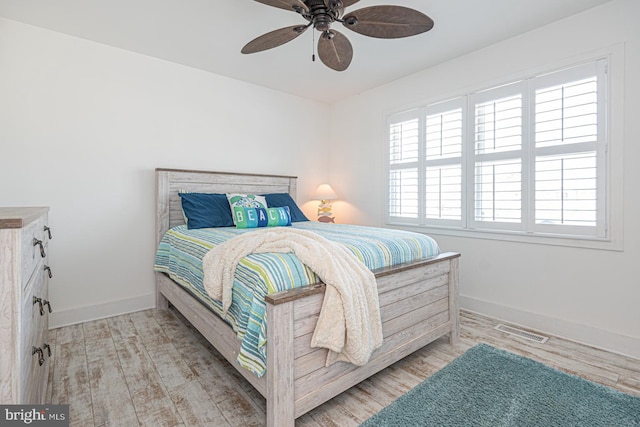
(569, 148)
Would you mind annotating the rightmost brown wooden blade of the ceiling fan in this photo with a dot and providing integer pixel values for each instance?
(388, 22)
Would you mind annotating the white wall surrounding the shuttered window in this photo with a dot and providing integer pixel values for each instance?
(585, 294)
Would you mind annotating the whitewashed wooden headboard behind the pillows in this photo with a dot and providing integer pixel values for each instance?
(170, 181)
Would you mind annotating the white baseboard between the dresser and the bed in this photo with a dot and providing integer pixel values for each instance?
(76, 315)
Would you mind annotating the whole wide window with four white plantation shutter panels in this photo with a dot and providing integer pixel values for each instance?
(527, 157)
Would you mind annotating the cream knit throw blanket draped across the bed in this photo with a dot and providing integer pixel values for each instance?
(349, 325)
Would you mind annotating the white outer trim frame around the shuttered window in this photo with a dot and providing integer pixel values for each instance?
(614, 134)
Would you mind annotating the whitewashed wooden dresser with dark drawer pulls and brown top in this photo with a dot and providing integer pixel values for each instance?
(24, 305)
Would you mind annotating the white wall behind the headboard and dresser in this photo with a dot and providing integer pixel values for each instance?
(82, 128)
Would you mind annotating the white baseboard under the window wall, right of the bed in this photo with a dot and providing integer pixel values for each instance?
(594, 337)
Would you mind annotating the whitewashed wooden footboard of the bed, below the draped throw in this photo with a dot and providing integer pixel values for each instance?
(418, 305)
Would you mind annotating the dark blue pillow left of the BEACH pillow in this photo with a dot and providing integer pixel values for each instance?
(204, 210)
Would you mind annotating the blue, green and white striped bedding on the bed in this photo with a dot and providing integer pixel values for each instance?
(181, 251)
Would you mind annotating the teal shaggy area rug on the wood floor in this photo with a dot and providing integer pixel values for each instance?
(491, 387)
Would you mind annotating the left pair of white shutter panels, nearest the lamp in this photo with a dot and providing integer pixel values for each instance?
(425, 165)
